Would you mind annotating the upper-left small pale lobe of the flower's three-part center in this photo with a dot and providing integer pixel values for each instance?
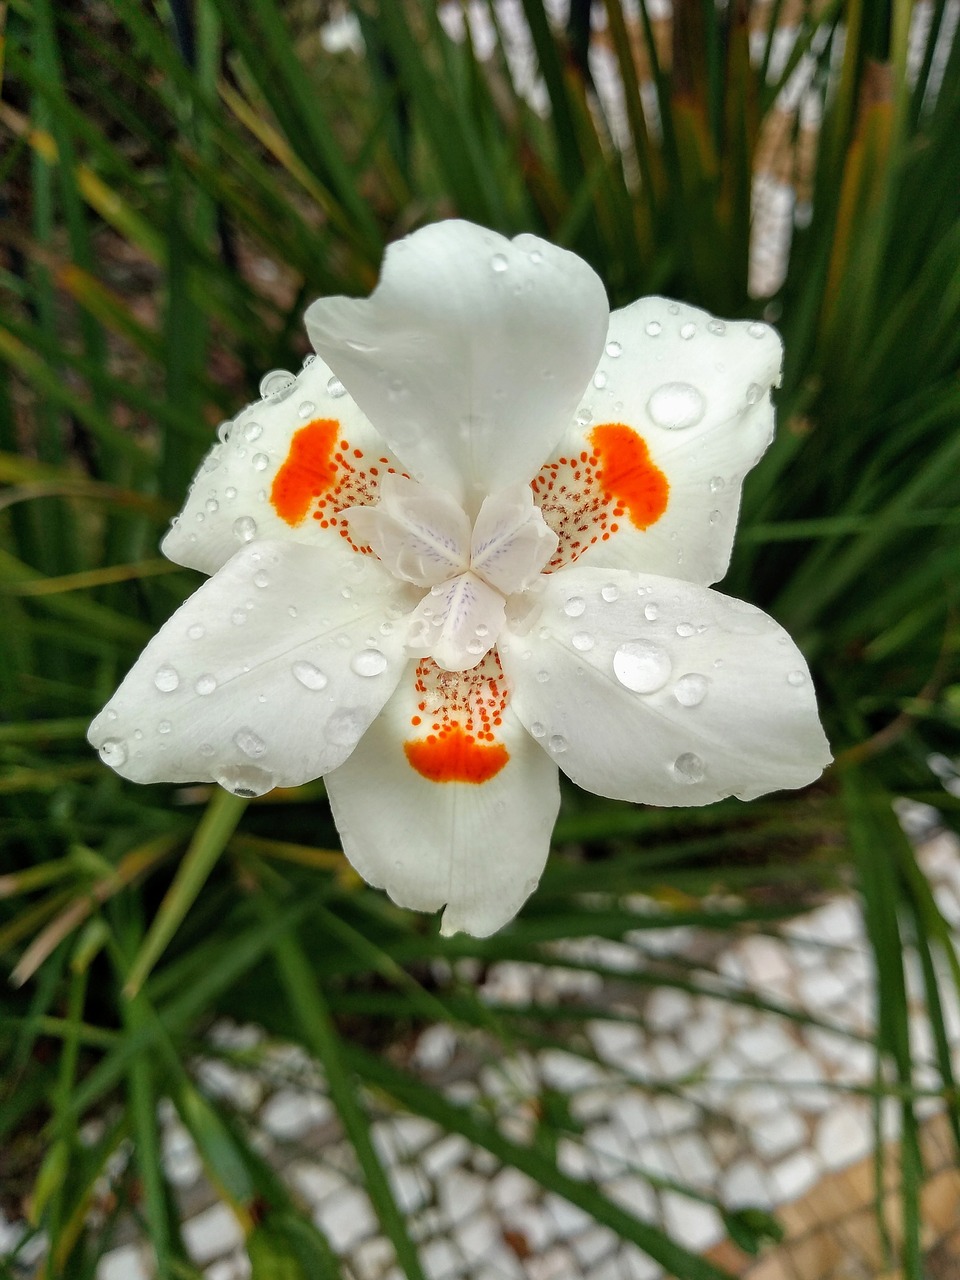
(419, 533)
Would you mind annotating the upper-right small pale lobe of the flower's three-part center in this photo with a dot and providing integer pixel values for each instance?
(511, 542)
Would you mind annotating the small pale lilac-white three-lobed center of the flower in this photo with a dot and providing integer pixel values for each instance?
(424, 537)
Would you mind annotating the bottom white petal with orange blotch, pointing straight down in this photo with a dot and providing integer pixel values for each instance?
(463, 813)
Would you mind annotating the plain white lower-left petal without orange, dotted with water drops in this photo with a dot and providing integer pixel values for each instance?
(267, 676)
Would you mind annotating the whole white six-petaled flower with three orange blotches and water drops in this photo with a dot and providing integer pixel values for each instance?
(472, 543)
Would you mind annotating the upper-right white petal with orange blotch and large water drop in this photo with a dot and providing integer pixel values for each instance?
(678, 413)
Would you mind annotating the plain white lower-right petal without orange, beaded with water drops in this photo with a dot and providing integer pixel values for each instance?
(662, 692)
